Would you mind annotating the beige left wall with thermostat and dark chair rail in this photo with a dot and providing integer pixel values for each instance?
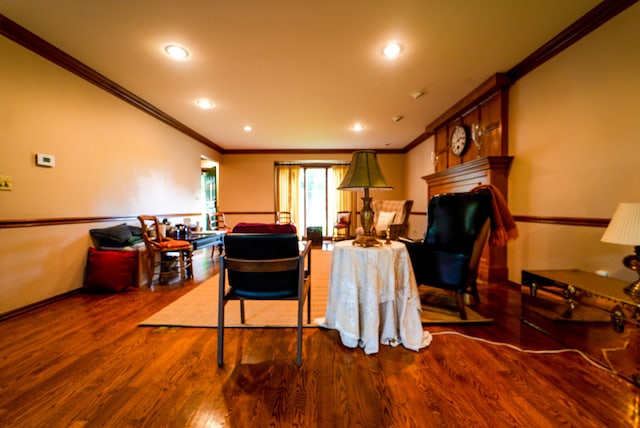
(111, 160)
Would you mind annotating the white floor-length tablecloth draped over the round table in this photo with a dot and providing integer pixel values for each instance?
(373, 297)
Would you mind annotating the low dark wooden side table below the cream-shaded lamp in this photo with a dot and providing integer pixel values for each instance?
(585, 311)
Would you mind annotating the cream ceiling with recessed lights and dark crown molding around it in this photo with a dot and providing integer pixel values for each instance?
(301, 72)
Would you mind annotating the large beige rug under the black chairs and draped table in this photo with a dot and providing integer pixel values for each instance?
(199, 307)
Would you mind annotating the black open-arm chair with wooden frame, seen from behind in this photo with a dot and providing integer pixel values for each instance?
(264, 266)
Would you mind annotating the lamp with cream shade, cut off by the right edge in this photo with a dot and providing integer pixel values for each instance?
(624, 229)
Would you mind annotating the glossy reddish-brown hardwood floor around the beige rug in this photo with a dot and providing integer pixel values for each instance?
(85, 362)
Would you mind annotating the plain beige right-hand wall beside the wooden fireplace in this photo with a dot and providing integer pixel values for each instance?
(575, 138)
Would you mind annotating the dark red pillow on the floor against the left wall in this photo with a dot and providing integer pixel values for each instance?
(110, 271)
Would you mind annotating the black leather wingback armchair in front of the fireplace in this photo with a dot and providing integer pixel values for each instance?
(457, 228)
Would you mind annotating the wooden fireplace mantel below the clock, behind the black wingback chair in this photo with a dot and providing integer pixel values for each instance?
(492, 170)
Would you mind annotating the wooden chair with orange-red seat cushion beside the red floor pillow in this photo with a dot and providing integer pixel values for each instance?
(160, 248)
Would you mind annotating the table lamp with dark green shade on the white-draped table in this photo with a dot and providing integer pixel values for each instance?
(364, 174)
